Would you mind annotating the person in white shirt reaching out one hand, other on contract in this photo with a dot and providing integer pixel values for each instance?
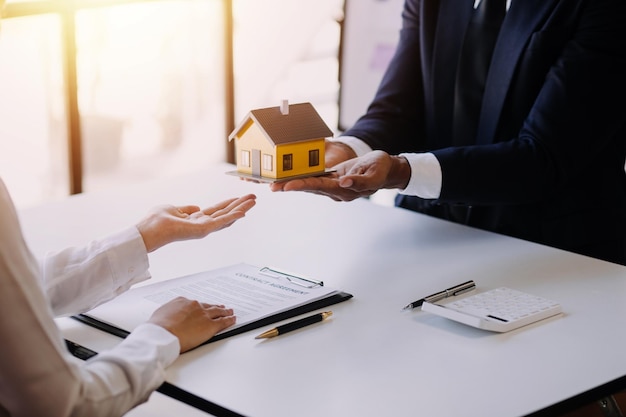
(38, 376)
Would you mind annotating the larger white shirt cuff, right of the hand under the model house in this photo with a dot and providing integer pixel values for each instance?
(425, 179)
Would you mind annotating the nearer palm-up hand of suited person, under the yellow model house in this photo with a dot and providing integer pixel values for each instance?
(354, 178)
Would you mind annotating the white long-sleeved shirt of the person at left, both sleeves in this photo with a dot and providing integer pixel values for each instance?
(38, 377)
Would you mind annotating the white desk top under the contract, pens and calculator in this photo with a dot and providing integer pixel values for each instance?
(371, 358)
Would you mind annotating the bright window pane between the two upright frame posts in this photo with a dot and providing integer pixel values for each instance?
(150, 89)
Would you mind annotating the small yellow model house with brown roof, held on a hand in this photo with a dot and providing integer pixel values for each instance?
(281, 142)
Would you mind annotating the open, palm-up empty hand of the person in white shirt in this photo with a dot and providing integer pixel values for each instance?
(166, 224)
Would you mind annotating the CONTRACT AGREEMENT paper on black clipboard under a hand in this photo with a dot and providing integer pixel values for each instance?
(258, 296)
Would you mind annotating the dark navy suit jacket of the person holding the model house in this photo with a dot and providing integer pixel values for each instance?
(548, 160)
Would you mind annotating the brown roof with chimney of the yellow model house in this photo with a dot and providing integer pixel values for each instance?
(299, 122)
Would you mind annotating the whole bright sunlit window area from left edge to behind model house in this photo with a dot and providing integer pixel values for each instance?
(151, 93)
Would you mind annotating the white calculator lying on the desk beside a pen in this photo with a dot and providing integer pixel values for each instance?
(498, 310)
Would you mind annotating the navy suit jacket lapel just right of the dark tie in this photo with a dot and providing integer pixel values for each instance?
(521, 21)
